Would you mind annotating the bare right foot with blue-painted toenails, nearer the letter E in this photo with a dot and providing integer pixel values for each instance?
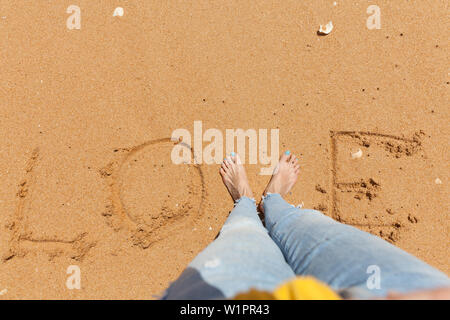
(284, 176)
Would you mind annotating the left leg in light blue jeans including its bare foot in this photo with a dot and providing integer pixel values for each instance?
(242, 257)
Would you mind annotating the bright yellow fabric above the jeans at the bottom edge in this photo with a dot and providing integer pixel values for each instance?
(301, 288)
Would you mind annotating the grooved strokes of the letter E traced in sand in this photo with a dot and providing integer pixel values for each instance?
(369, 189)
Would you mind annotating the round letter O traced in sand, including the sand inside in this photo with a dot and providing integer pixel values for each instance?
(165, 204)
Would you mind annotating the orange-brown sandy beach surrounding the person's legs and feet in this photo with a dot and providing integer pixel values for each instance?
(87, 176)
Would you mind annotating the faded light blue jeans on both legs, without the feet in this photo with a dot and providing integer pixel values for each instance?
(298, 242)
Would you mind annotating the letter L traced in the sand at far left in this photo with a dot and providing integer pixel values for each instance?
(23, 241)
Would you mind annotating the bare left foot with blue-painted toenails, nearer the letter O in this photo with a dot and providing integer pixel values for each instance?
(234, 177)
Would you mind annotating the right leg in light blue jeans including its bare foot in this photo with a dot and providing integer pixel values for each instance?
(337, 254)
